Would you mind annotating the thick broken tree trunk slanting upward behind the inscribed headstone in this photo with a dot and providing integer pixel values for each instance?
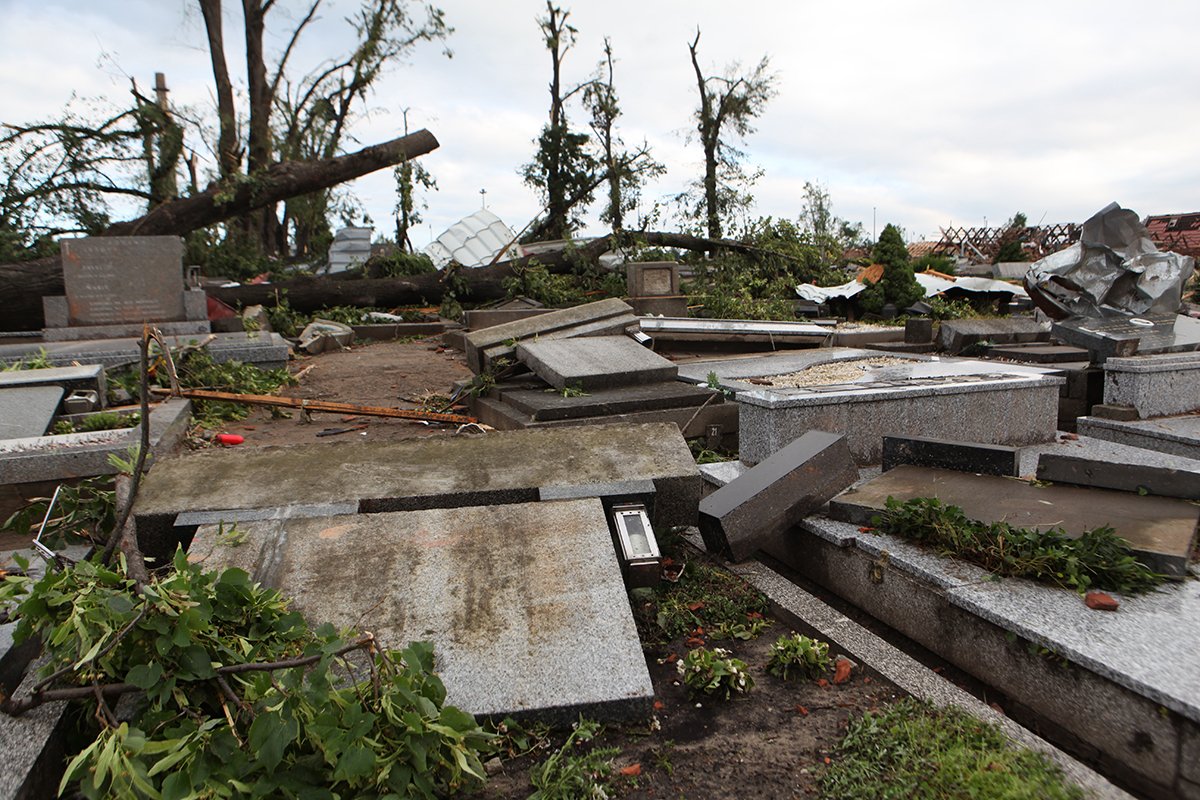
(25, 285)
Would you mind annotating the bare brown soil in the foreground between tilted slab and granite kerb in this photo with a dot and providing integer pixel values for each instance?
(771, 743)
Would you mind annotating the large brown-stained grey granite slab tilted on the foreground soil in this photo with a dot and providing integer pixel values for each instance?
(525, 604)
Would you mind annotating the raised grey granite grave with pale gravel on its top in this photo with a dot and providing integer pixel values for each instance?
(866, 396)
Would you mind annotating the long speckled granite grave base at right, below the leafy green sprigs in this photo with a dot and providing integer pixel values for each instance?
(1132, 690)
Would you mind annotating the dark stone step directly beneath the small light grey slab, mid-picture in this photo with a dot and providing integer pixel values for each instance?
(544, 405)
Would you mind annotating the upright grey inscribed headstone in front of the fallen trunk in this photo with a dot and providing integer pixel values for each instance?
(115, 285)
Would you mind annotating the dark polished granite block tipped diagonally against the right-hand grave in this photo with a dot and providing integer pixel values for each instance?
(776, 495)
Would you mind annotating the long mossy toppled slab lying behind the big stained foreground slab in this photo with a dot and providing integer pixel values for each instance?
(500, 468)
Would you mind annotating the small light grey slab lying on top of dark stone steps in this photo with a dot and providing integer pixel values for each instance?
(595, 363)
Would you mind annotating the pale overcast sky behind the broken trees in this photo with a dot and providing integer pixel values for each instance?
(926, 113)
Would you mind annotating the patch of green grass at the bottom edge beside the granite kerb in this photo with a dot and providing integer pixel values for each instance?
(914, 751)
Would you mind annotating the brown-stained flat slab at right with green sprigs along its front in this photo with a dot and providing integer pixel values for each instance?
(1161, 531)
